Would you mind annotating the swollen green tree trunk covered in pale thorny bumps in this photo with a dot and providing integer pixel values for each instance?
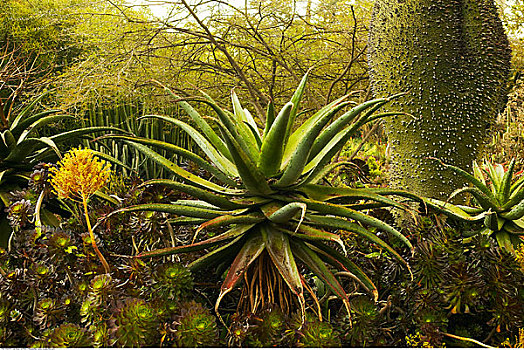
(452, 58)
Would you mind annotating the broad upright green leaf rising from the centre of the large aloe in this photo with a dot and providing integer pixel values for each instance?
(271, 151)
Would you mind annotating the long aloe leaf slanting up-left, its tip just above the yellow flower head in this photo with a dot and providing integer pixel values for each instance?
(181, 173)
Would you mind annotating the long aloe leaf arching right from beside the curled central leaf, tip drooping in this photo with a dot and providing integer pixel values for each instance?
(338, 210)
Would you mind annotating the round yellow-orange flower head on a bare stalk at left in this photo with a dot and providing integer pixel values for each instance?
(79, 174)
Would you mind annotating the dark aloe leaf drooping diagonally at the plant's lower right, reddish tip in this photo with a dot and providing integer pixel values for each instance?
(339, 261)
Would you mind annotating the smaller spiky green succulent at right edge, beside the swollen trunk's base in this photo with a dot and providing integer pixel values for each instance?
(498, 203)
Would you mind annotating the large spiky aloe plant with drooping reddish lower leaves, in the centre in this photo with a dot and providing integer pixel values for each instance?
(268, 195)
